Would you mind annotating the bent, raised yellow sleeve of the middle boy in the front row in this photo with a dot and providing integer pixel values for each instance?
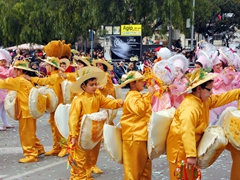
(138, 106)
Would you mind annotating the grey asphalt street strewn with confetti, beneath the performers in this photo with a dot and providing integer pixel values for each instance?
(55, 168)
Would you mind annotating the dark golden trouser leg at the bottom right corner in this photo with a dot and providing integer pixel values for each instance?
(235, 175)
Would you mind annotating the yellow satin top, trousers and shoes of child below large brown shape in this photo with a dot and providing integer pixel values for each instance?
(53, 81)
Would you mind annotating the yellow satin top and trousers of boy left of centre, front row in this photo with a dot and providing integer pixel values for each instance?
(86, 103)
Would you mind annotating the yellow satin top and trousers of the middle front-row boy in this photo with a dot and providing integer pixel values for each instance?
(134, 122)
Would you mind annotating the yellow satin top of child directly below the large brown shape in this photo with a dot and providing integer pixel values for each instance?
(53, 81)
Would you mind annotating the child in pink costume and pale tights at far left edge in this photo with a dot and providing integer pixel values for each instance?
(5, 72)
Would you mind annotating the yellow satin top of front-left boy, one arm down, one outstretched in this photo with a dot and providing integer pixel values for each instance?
(86, 103)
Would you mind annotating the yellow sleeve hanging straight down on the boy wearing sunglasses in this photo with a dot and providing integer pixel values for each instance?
(188, 121)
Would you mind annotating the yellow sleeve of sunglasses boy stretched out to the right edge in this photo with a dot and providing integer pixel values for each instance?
(224, 98)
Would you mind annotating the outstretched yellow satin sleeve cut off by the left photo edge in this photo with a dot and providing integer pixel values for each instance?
(10, 84)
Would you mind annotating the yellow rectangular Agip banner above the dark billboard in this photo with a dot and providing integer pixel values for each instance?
(131, 30)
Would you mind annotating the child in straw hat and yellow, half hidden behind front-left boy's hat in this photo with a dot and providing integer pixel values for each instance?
(108, 89)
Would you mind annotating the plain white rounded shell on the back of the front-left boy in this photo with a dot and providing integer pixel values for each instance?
(61, 117)
